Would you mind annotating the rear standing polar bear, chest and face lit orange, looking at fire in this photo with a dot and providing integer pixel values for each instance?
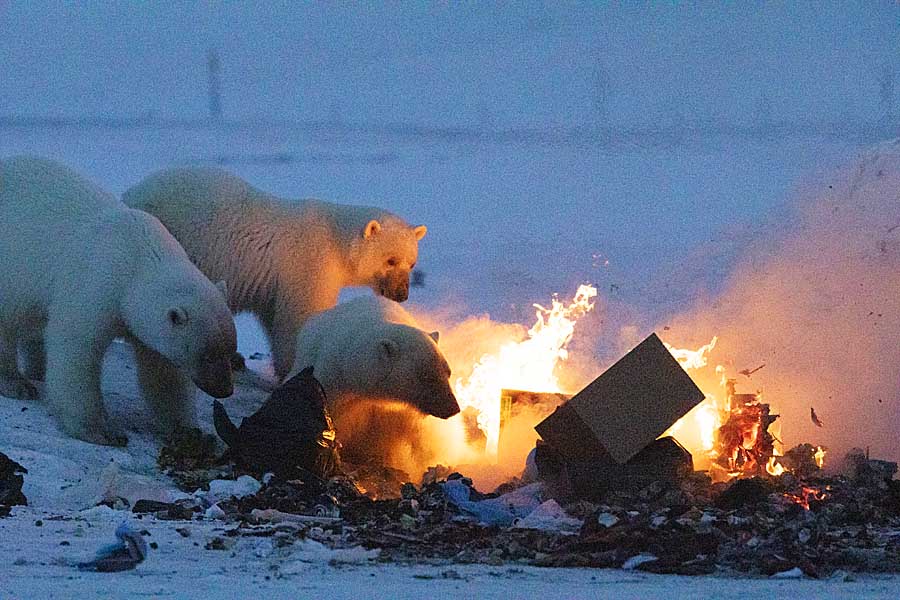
(283, 260)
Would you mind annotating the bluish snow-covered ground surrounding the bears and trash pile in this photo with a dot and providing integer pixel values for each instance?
(509, 224)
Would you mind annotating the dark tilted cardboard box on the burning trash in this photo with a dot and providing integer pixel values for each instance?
(625, 409)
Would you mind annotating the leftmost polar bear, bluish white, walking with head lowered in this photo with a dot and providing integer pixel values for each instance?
(80, 269)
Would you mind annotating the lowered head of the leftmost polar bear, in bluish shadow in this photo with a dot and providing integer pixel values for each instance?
(185, 318)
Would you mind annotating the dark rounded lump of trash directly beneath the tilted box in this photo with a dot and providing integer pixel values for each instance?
(664, 460)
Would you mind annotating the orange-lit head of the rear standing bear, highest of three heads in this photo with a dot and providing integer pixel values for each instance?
(386, 254)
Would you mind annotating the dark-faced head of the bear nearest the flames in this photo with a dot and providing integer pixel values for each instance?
(412, 369)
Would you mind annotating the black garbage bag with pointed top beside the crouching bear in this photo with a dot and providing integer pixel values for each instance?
(290, 434)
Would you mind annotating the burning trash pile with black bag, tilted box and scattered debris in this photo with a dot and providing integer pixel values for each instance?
(607, 485)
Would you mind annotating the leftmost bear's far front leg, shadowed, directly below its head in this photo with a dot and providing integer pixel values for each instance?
(167, 389)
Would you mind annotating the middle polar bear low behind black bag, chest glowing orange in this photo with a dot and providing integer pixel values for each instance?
(382, 375)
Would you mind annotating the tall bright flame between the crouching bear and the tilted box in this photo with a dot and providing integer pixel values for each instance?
(528, 364)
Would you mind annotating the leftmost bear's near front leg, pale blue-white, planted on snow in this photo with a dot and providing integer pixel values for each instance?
(75, 349)
